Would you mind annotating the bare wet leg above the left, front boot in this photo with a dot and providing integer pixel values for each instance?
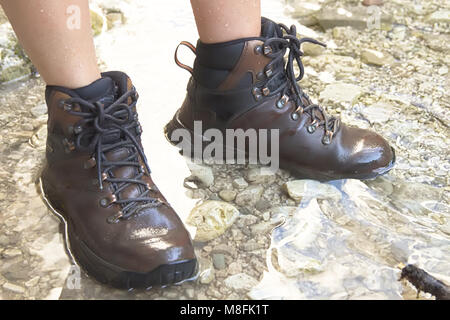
(57, 36)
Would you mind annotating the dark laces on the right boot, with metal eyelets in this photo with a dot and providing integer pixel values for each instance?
(284, 80)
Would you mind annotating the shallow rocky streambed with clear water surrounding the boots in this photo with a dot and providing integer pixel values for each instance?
(385, 67)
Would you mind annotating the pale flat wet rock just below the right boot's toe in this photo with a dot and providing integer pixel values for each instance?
(299, 189)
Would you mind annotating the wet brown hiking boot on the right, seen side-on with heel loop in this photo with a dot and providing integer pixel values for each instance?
(248, 84)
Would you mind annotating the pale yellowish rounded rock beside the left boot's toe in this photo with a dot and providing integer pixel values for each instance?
(212, 218)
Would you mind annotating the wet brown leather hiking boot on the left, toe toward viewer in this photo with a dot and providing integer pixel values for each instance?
(120, 228)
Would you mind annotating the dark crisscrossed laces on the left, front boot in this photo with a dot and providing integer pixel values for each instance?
(107, 128)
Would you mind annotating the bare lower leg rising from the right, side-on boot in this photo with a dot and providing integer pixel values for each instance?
(225, 20)
